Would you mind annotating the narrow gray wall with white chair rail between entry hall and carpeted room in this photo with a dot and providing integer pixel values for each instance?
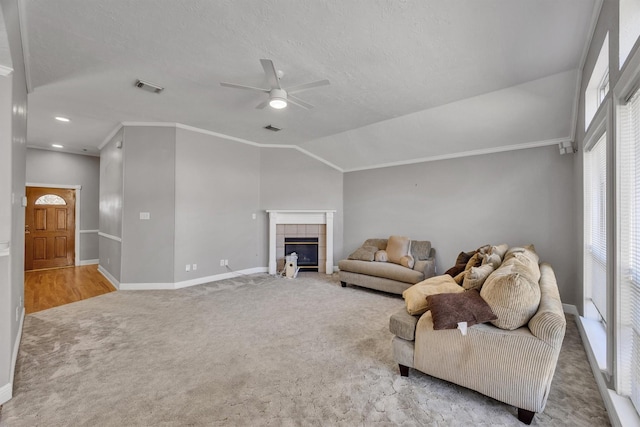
(110, 215)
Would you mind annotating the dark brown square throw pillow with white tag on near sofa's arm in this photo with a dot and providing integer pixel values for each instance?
(447, 310)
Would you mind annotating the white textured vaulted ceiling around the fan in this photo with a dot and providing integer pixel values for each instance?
(403, 73)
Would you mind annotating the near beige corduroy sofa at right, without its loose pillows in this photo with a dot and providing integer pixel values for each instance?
(514, 366)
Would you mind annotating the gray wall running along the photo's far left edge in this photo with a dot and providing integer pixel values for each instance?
(13, 144)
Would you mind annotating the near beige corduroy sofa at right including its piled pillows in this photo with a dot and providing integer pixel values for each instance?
(511, 359)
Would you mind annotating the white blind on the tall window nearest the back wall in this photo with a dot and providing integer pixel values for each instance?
(596, 225)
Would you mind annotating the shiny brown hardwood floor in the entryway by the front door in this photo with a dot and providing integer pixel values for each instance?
(45, 289)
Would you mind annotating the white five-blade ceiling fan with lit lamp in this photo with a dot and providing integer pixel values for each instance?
(279, 96)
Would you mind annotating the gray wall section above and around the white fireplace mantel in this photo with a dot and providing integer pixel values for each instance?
(292, 180)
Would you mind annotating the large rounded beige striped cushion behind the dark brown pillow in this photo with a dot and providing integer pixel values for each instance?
(512, 296)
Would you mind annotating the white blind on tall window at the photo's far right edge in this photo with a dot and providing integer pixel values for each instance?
(629, 274)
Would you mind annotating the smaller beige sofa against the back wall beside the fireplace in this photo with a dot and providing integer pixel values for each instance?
(361, 269)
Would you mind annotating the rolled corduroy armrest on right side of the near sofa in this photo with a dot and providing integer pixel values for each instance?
(549, 323)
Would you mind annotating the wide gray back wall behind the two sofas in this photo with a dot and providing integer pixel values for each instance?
(516, 197)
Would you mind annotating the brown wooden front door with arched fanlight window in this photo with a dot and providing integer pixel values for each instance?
(50, 232)
